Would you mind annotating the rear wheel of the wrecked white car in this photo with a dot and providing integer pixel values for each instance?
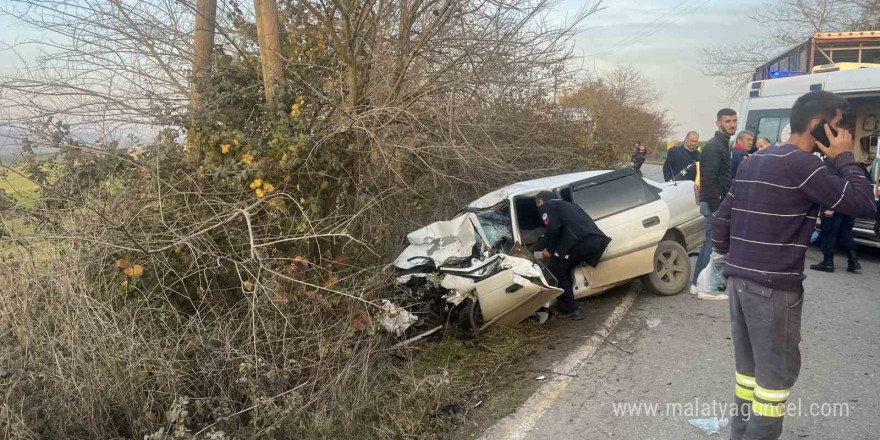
(672, 270)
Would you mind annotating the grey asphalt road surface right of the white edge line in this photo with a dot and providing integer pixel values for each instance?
(676, 353)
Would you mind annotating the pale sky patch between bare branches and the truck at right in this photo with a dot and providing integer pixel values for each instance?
(669, 57)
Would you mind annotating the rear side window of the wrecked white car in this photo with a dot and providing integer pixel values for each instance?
(612, 197)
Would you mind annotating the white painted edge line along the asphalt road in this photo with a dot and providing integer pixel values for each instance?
(518, 425)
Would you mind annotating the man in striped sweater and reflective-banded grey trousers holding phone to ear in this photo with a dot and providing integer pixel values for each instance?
(764, 226)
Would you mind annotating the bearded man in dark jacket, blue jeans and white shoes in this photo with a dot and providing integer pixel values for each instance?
(714, 181)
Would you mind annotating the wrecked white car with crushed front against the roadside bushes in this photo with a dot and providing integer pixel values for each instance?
(482, 262)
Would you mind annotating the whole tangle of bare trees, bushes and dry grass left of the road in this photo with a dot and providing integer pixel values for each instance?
(223, 275)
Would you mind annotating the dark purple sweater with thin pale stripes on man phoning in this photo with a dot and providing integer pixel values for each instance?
(767, 218)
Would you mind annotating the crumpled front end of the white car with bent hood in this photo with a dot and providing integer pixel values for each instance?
(471, 266)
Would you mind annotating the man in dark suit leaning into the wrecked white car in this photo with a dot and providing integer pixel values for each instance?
(572, 239)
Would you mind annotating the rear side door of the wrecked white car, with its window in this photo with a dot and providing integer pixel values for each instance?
(630, 212)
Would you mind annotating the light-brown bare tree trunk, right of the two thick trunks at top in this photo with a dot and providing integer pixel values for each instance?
(269, 35)
